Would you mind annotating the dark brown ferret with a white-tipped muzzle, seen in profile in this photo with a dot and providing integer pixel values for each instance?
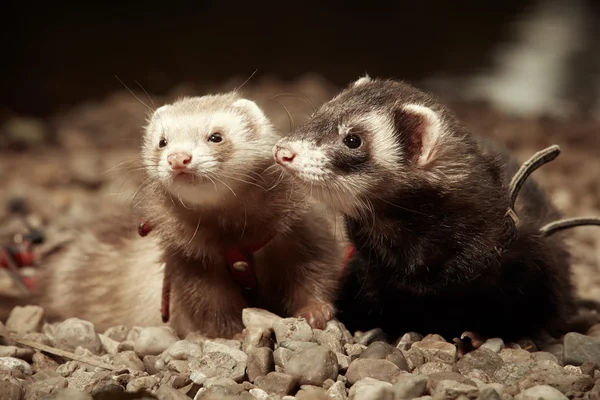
(425, 204)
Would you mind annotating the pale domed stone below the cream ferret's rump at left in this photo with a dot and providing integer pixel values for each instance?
(75, 332)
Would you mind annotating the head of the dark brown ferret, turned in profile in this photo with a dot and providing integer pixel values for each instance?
(374, 134)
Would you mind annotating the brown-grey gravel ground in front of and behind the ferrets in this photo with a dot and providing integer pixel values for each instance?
(67, 166)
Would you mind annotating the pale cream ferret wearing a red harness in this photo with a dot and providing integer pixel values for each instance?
(209, 186)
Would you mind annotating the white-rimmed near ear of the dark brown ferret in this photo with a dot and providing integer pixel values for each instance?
(420, 130)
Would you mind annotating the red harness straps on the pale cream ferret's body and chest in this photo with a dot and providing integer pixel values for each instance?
(240, 262)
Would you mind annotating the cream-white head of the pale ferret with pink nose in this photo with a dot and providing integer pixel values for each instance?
(201, 148)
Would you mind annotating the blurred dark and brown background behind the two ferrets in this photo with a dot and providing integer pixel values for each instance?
(524, 72)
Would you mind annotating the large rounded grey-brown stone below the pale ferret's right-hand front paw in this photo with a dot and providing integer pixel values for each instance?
(313, 366)
